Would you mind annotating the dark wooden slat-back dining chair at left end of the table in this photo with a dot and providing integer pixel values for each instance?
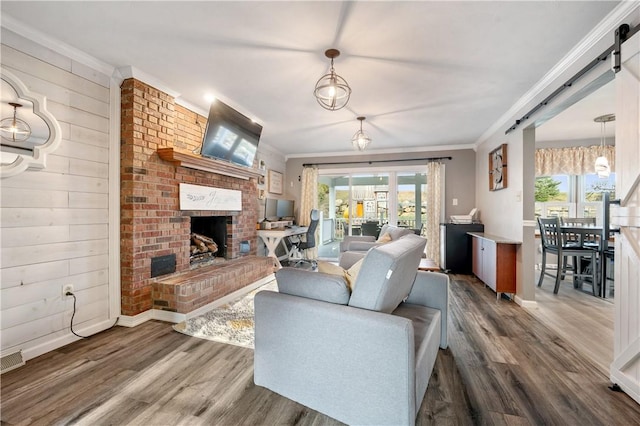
(555, 242)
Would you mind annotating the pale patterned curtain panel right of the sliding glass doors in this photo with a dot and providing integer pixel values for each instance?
(435, 181)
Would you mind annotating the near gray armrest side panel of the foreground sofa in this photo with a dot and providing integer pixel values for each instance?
(352, 364)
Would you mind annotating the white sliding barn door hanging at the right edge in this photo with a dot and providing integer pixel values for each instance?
(625, 369)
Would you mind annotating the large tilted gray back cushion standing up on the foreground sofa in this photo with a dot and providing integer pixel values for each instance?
(387, 274)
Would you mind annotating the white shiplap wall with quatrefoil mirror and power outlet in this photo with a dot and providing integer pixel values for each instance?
(55, 222)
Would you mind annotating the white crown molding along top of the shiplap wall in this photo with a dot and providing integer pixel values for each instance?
(20, 28)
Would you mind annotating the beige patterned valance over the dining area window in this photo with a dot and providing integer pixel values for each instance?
(578, 160)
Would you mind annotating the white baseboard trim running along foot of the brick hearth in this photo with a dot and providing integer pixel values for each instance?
(174, 317)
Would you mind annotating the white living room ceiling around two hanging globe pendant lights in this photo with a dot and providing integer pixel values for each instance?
(425, 74)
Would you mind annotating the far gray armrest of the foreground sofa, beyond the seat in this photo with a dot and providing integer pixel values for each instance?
(431, 289)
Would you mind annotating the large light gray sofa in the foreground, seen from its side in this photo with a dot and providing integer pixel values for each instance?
(361, 357)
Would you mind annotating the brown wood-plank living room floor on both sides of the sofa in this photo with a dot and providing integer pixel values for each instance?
(504, 366)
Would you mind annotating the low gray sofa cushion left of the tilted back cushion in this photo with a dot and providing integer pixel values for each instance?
(313, 285)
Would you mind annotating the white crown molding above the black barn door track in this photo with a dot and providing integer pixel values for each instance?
(606, 27)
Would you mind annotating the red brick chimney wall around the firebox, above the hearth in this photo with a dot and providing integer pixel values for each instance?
(152, 224)
